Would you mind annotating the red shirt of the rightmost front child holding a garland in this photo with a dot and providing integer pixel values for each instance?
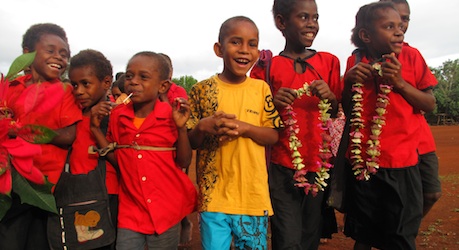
(399, 138)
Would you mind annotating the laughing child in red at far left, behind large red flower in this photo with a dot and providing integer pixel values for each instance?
(24, 226)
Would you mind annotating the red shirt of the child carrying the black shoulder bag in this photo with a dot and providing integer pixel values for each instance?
(81, 162)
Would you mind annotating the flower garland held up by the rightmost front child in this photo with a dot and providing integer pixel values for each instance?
(362, 169)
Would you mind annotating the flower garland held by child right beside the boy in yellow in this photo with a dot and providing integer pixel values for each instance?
(324, 147)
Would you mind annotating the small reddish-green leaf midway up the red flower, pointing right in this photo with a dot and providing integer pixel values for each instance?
(37, 134)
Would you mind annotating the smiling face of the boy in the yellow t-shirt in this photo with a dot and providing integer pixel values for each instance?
(239, 50)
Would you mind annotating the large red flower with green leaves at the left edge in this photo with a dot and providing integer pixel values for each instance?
(18, 143)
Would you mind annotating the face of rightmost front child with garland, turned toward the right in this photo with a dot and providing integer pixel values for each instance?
(387, 34)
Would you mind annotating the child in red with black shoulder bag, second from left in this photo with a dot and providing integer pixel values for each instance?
(91, 77)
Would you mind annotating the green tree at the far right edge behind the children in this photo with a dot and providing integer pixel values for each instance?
(447, 90)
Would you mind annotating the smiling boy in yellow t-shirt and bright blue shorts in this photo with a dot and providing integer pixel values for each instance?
(232, 119)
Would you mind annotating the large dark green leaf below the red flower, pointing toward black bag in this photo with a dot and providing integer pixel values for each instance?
(36, 195)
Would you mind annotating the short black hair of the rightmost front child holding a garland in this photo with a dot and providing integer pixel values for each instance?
(365, 18)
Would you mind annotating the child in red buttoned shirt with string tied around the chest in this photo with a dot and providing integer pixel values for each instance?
(155, 195)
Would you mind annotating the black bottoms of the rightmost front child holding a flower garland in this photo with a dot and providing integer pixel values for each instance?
(386, 211)
